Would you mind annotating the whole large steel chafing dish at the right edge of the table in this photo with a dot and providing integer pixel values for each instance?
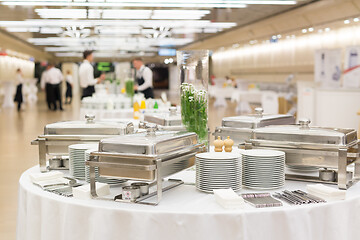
(307, 146)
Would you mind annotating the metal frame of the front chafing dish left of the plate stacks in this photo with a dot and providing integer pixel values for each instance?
(156, 163)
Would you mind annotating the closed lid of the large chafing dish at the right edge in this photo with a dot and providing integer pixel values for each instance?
(305, 134)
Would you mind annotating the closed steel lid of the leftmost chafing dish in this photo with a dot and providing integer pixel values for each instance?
(88, 127)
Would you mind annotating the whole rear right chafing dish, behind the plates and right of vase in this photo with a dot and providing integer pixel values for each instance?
(240, 128)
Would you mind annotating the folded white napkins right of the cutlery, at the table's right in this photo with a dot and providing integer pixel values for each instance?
(325, 192)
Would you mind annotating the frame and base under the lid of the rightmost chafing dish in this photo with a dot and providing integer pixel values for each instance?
(313, 155)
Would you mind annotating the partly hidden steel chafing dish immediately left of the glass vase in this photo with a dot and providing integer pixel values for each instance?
(166, 121)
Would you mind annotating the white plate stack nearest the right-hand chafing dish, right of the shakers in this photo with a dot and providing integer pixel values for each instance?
(263, 169)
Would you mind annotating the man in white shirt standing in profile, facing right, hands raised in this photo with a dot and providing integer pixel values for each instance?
(86, 75)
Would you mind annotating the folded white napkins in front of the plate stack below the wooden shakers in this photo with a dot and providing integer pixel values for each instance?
(227, 198)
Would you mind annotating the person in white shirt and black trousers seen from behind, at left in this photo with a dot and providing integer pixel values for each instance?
(51, 79)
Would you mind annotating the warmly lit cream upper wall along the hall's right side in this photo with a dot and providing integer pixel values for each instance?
(274, 61)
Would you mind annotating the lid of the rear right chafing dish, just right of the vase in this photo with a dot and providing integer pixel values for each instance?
(257, 120)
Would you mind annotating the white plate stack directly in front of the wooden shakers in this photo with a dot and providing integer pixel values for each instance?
(218, 170)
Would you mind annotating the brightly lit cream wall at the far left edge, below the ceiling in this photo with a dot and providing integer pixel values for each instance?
(9, 65)
